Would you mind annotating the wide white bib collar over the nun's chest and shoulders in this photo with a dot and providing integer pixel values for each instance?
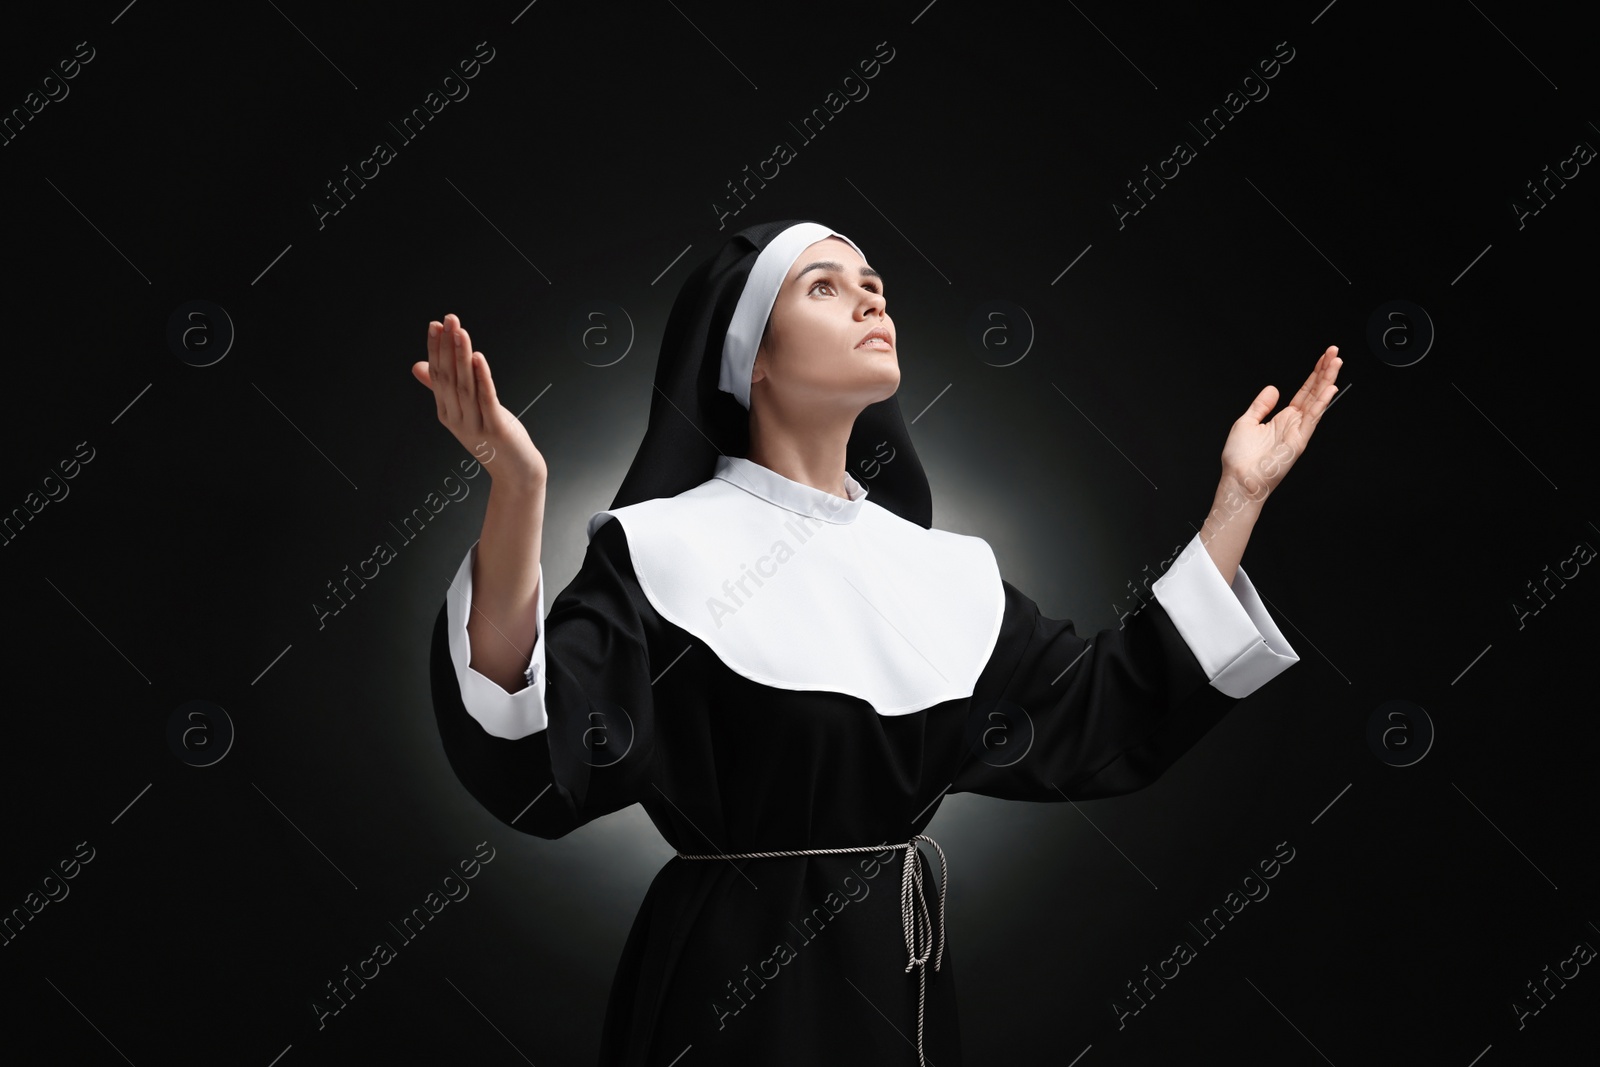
(799, 589)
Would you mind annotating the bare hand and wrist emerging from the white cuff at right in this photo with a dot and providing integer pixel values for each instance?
(1258, 455)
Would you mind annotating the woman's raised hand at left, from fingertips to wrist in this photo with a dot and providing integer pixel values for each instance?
(470, 409)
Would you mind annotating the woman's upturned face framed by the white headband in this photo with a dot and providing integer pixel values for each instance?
(814, 351)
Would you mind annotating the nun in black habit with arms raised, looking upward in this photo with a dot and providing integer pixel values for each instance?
(790, 673)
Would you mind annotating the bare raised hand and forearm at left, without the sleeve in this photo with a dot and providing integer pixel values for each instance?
(503, 625)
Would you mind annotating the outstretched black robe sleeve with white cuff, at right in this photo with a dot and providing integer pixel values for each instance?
(1058, 717)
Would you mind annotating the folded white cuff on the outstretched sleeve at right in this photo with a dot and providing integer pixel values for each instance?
(1228, 629)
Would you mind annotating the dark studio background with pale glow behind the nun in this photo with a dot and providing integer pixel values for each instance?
(985, 161)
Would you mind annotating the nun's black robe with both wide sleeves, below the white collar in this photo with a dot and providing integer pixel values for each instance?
(724, 764)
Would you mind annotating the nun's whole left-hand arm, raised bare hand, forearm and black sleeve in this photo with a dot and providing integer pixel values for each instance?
(570, 740)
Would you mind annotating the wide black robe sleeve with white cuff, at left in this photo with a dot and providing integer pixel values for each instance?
(583, 751)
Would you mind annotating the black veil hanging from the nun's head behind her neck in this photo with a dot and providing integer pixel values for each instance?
(692, 422)
